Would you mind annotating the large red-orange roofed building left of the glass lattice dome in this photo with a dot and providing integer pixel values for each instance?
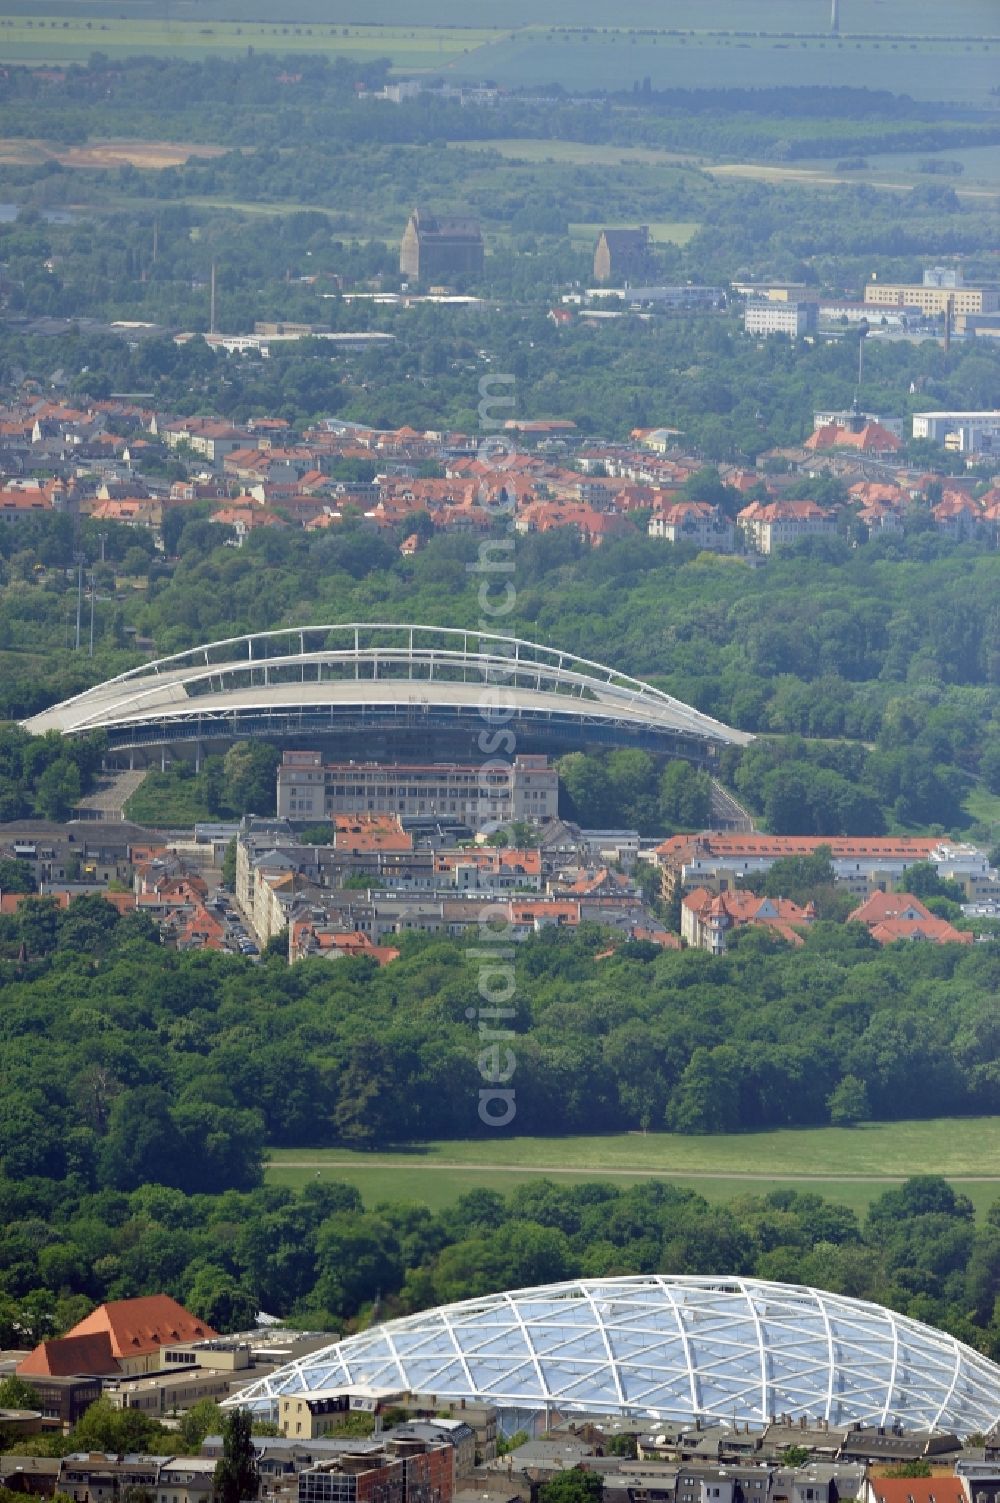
(123, 1337)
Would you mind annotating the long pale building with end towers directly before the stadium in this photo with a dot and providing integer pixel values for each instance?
(311, 790)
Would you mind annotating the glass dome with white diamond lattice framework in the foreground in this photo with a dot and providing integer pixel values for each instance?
(676, 1349)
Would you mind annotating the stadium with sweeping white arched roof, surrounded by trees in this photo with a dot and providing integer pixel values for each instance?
(338, 679)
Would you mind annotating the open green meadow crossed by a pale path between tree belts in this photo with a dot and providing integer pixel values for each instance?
(847, 1166)
